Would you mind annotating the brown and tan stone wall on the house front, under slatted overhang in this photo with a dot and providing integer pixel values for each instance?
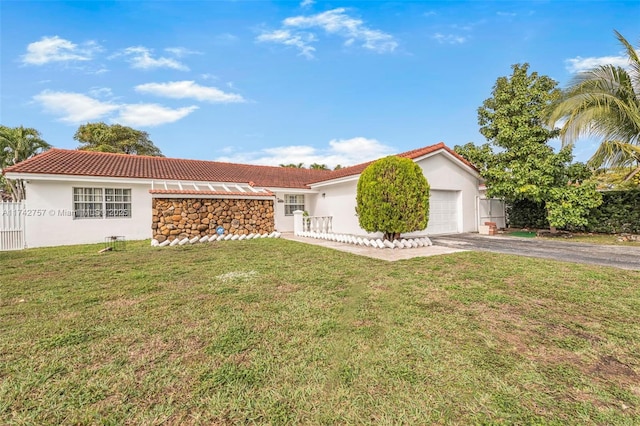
(192, 217)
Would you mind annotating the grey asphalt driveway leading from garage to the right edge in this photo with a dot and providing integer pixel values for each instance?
(623, 257)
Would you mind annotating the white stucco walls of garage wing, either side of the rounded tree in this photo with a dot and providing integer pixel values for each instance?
(441, 172)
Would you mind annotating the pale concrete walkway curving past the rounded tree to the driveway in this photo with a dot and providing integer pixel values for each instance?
(390, 255)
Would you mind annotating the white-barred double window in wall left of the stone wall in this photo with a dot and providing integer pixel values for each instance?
(92, 203)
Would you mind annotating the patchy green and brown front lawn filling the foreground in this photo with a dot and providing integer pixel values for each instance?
(276, 332)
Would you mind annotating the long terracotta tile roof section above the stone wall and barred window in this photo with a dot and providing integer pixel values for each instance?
(86, 163)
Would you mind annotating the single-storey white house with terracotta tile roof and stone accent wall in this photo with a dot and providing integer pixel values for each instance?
(76, 197)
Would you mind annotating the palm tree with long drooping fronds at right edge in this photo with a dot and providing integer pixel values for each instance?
(605, 102)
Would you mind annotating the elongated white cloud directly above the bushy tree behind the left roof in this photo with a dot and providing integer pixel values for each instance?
(77, 108)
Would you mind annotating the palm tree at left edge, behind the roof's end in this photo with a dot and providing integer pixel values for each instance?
(18, 144)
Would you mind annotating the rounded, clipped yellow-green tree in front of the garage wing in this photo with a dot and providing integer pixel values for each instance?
(393, 197)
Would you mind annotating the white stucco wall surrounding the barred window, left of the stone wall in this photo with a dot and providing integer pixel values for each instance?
(53, 223)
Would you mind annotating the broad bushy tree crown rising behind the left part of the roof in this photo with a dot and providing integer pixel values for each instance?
(102, 137)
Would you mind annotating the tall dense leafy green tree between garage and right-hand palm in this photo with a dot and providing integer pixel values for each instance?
(525, 167)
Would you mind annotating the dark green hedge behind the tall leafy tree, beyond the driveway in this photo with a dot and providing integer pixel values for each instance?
(619, 213)
